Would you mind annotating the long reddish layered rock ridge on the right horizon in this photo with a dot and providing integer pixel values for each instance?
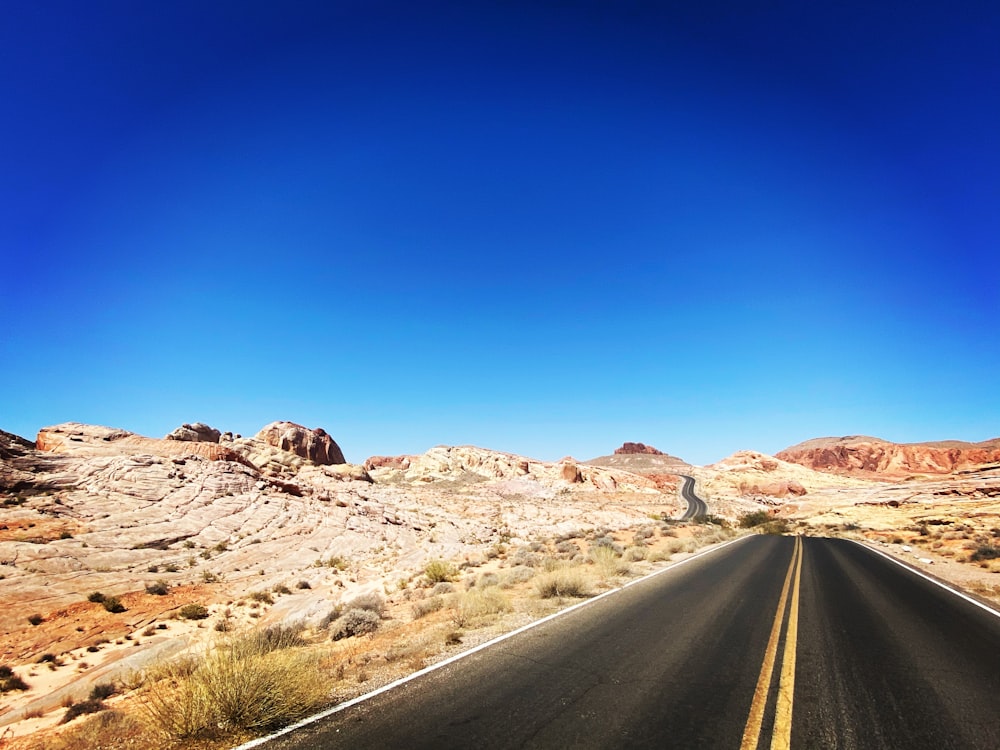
(863, 456)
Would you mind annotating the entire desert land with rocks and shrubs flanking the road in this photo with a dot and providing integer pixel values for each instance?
(129, 564)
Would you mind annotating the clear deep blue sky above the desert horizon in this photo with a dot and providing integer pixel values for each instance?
(539, 227)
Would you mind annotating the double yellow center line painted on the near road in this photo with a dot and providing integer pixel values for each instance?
(782, 733)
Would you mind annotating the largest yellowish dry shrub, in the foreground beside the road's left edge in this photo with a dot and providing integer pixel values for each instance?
(237, 688)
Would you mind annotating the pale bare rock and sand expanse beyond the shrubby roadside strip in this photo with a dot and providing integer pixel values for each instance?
(277, 527)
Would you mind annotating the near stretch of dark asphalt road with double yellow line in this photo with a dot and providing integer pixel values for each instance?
(862, 653)
